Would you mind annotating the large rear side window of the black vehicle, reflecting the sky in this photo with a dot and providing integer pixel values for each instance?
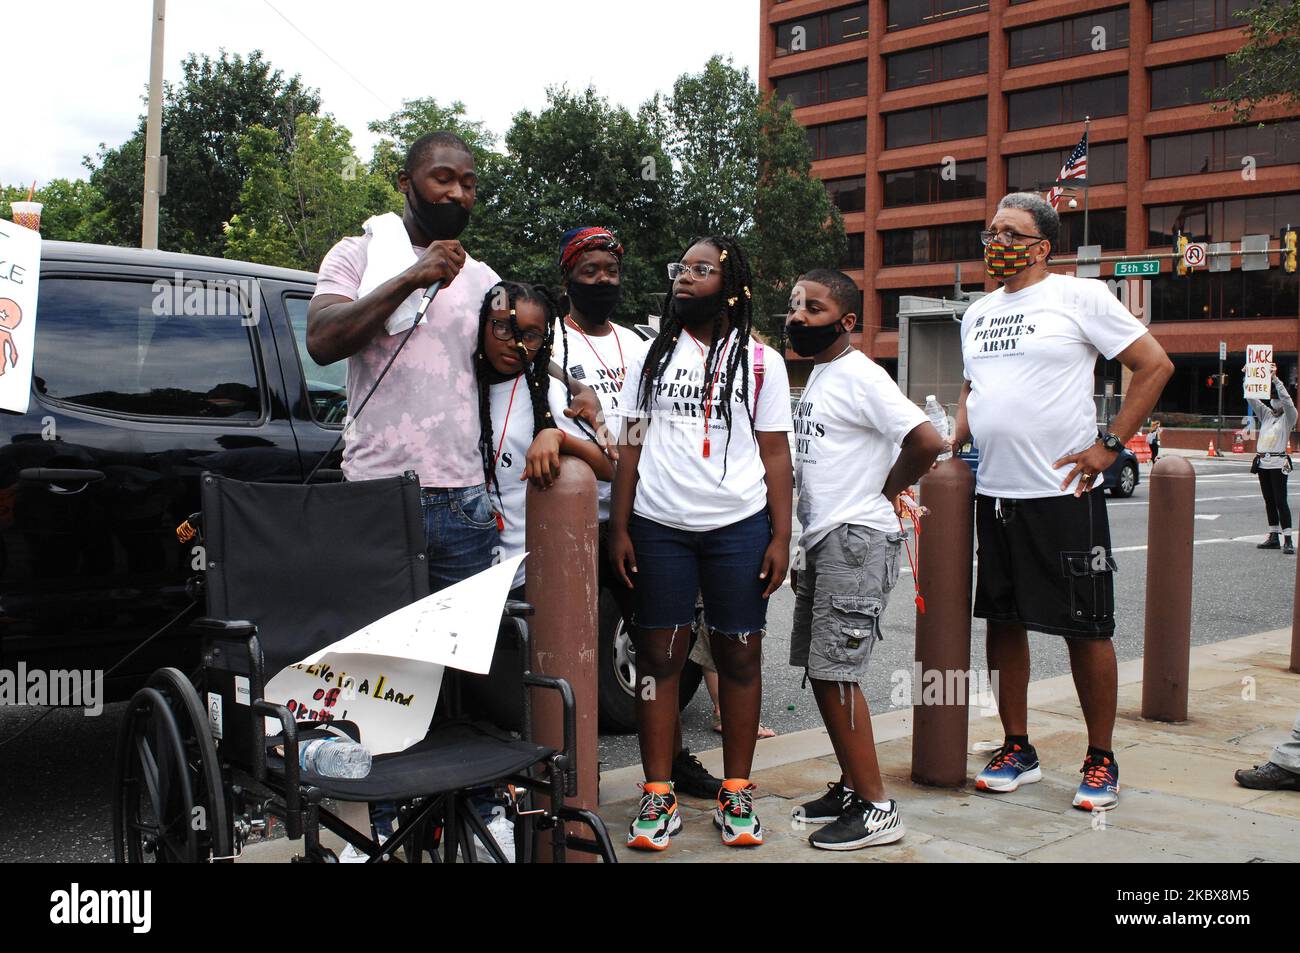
(148, 349)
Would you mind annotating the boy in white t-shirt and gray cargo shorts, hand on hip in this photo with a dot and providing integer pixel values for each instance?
(859, 444)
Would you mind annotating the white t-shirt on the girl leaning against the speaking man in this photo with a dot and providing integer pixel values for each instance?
(513, 436)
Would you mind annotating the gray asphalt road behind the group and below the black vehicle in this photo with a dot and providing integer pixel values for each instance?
(55, 781)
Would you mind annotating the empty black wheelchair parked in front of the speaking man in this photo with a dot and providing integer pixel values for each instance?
(291, 570)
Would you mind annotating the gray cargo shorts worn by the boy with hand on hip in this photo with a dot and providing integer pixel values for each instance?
(843, 591)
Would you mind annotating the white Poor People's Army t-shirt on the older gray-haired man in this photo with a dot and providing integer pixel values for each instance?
(1030, 359)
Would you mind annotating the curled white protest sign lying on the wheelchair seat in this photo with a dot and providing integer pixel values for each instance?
(387, 677)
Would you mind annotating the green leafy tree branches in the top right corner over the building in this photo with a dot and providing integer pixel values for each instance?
(1266, 71)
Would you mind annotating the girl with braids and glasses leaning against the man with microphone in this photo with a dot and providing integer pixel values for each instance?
(523, 424)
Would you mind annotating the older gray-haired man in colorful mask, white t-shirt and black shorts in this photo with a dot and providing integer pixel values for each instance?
(1030, 352)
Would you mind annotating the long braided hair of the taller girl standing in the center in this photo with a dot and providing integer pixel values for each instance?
(739, 309)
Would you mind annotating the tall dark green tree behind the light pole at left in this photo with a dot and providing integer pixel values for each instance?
(205, 119)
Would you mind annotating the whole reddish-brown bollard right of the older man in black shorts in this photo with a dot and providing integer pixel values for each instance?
(1168, 643)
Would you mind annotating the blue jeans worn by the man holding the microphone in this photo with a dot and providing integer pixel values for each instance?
(461, 542)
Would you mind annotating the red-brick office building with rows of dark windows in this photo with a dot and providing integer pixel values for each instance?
(924, 114)
